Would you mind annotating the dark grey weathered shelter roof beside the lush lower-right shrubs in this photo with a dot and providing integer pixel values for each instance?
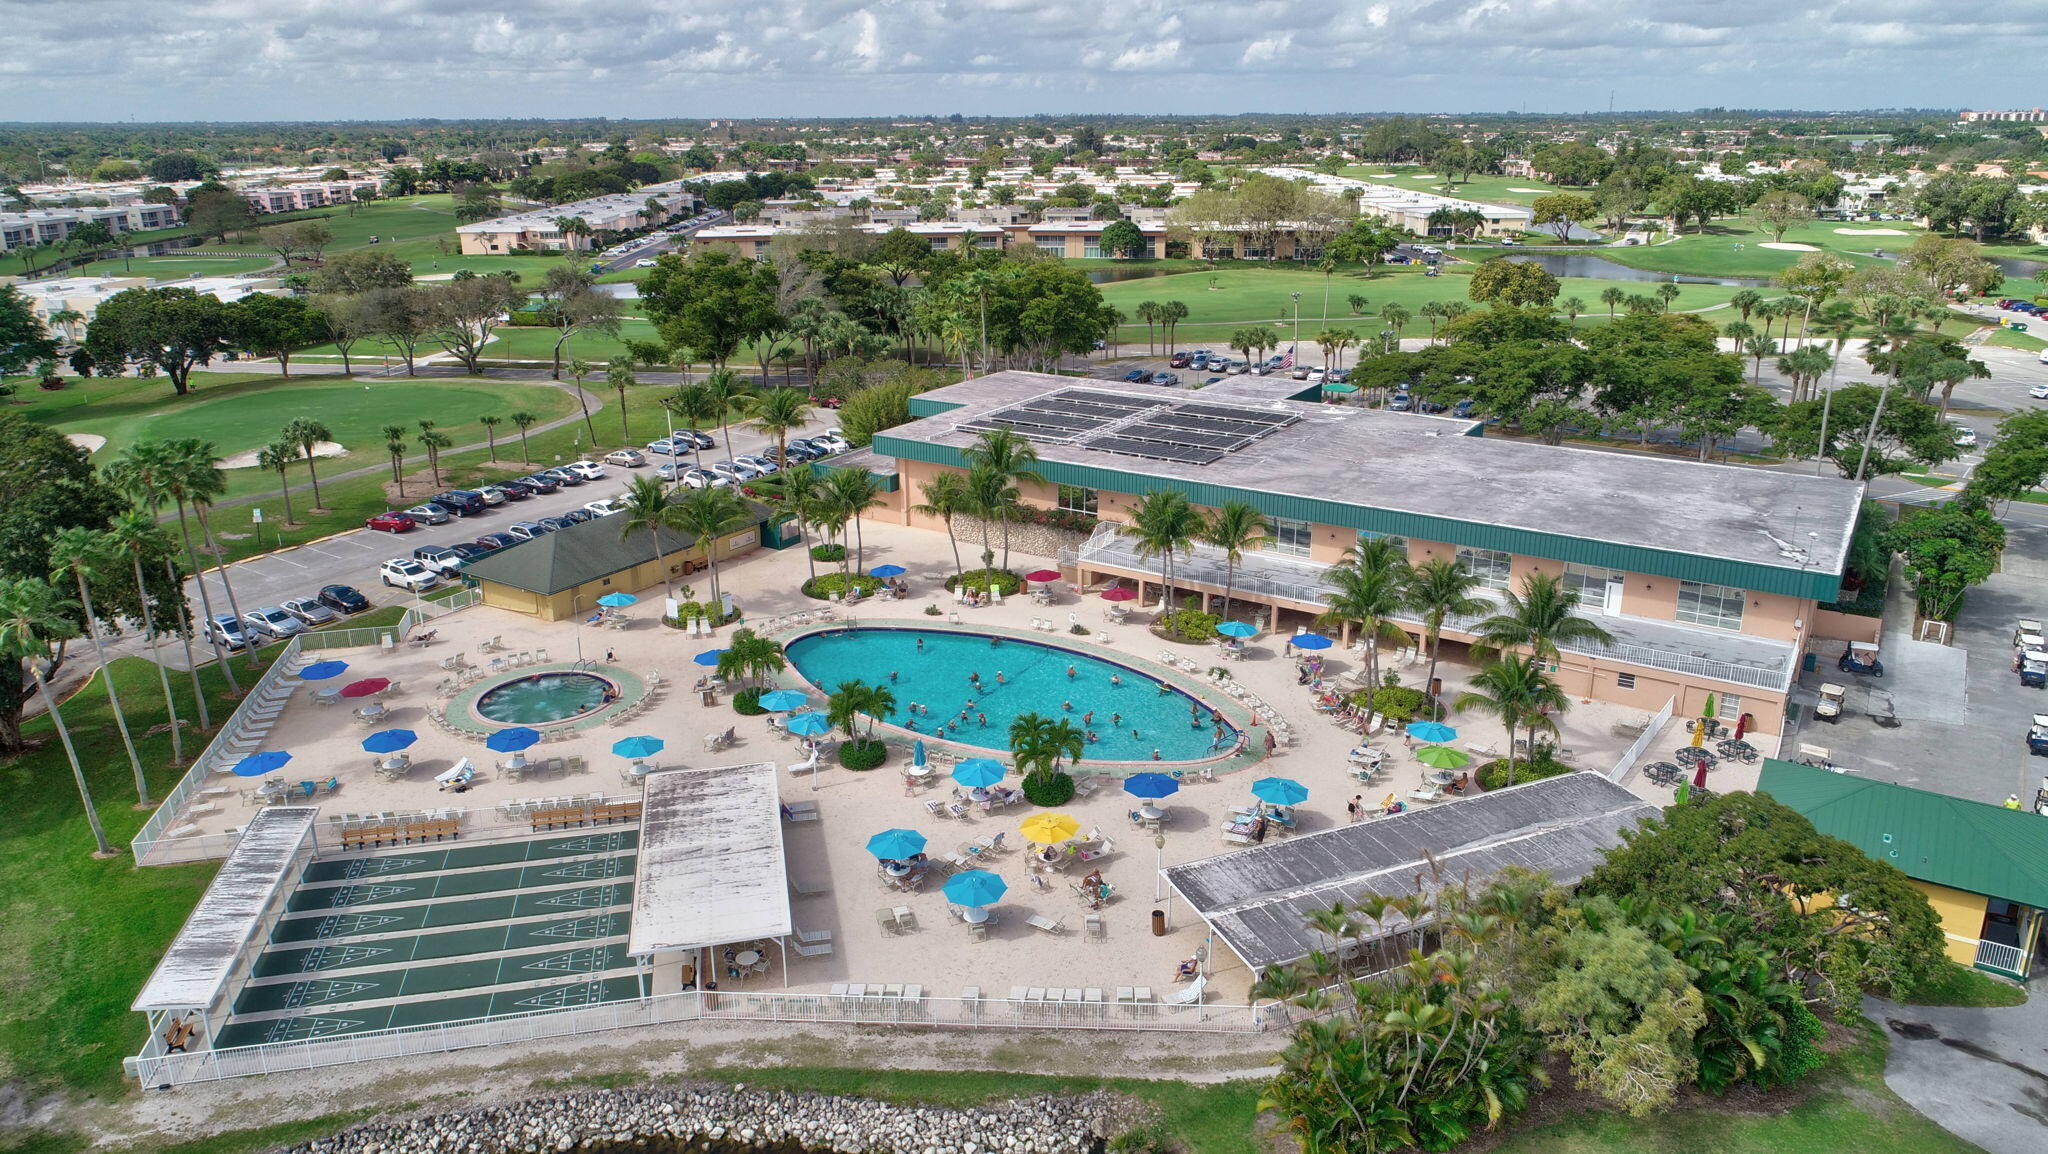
(1261, 899)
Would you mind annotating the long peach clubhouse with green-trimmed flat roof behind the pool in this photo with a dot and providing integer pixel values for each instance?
(1711, 579)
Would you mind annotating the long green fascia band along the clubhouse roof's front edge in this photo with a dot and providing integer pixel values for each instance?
(1418, 526)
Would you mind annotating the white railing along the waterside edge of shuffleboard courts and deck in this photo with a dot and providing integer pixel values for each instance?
(822, 1009)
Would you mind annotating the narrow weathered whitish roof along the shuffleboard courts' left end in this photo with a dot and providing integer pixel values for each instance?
(210, 944)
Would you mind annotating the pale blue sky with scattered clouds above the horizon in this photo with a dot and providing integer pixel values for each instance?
(318, 60)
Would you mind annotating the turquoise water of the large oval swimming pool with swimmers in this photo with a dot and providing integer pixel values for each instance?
(931, 669)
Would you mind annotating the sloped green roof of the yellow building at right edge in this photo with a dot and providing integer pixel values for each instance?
(1930, 837)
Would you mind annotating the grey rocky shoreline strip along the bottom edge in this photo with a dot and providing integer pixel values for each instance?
(714, 1118)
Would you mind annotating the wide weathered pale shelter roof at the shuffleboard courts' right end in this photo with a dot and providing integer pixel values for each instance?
(710, 862)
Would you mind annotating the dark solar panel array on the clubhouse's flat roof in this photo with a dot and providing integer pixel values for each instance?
(1138, 427)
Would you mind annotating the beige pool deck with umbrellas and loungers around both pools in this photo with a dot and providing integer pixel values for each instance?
(853, 807)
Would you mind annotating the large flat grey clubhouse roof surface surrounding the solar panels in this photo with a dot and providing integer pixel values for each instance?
(1428, 466)
